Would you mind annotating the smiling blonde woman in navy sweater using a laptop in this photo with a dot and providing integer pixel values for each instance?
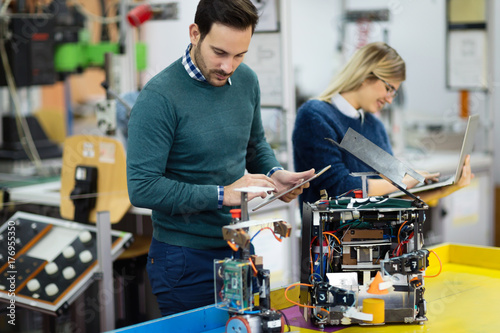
(369, 80)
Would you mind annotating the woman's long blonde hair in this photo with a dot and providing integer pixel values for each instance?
(371, 61)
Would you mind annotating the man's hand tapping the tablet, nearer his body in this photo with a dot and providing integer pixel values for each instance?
(233, 198)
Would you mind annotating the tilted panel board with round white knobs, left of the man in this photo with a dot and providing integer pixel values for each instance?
(54, 260)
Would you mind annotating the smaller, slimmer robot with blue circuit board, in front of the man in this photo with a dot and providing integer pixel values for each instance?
(238, 278)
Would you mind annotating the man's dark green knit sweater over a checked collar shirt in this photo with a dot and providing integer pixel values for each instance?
(185, 137)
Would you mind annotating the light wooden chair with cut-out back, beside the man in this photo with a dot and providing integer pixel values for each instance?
(107, 155)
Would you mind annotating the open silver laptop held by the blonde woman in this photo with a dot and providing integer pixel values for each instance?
(467, 145)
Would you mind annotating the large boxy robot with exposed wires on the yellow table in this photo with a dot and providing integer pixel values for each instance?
(371, 245)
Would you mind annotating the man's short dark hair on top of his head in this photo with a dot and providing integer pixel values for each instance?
(239, 14)
